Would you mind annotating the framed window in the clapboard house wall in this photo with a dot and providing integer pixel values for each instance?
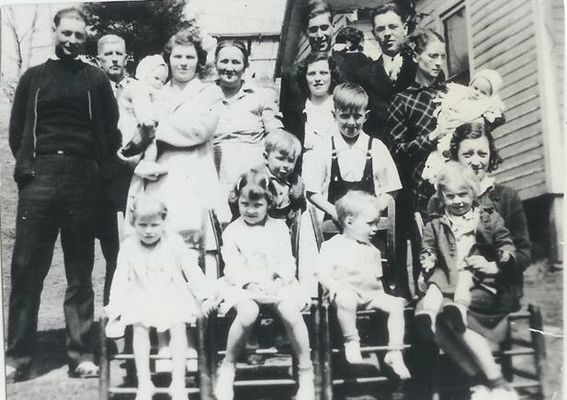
(456, 39)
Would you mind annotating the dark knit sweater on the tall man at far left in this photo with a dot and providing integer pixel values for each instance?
(101, 106)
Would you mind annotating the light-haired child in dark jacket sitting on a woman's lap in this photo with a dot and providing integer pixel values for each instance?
(462, 230)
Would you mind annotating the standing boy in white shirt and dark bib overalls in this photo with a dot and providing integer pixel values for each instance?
(350, 160)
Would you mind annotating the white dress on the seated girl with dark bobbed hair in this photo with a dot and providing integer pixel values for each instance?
(259, 254)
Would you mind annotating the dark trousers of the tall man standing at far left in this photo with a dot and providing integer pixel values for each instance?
(61, 198)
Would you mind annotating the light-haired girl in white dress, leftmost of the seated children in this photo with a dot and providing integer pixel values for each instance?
(158, 284)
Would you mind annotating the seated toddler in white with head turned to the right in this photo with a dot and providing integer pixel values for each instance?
(350, 269)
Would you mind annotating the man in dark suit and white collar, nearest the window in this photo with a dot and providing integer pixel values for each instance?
(393, 72)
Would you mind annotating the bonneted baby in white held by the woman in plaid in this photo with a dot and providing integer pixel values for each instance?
(479, 101)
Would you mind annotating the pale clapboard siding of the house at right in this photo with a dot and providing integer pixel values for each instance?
(503, 38)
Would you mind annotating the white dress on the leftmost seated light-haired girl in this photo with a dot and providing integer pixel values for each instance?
(150, 288)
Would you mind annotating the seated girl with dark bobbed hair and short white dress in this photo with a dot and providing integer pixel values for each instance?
(260, 269)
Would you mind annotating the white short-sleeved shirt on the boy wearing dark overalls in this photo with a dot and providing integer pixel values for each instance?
(352, 160)
